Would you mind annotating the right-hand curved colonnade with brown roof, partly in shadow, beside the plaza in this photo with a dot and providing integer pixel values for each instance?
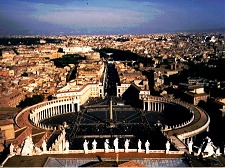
(198, 123)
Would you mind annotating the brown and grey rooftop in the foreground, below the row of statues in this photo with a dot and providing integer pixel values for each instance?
(75, 160)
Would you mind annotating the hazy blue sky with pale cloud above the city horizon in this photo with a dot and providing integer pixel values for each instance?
(54, 17)
